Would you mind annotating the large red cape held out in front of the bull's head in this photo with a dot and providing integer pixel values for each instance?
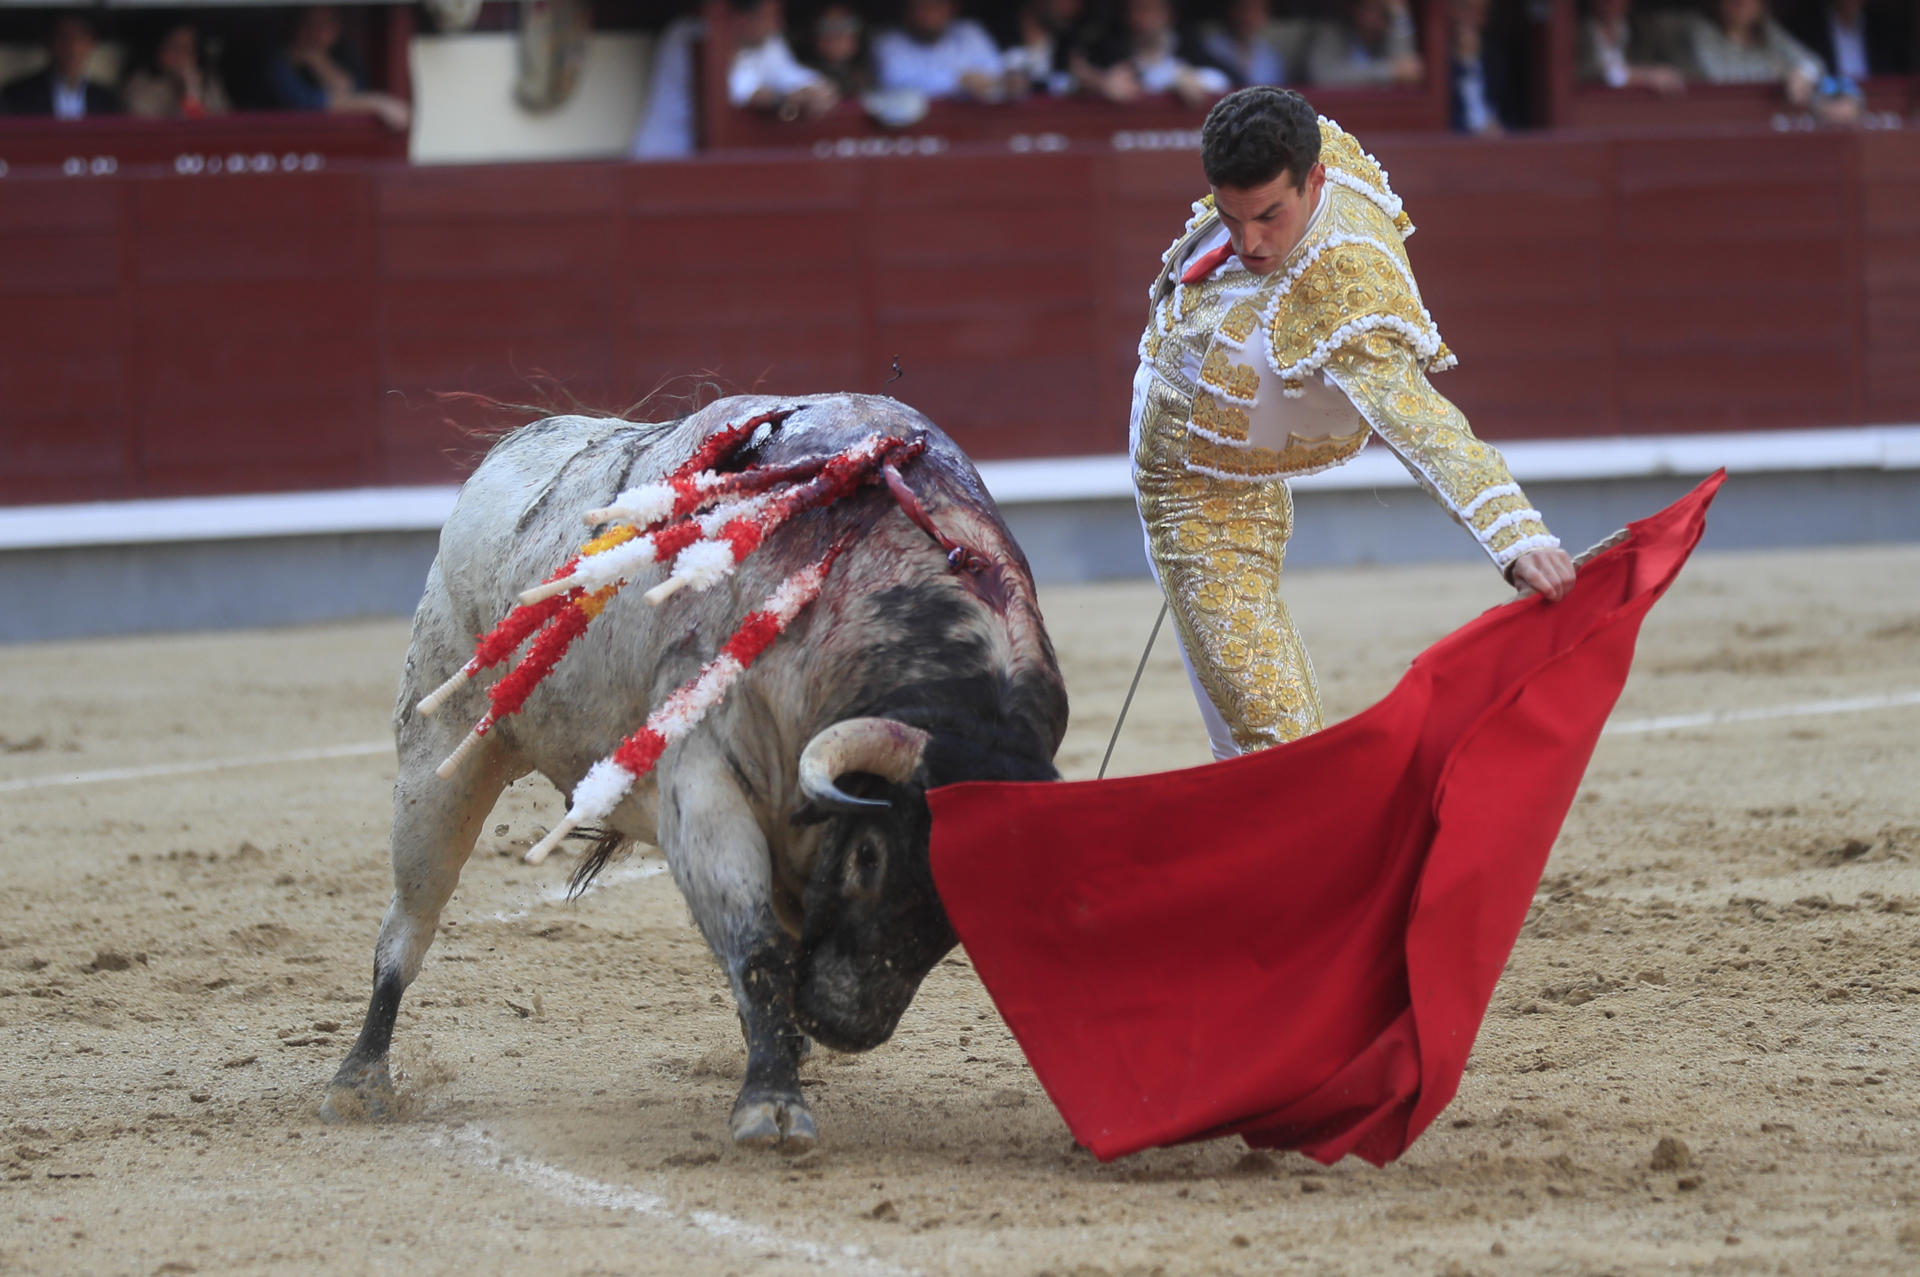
(1299, 946)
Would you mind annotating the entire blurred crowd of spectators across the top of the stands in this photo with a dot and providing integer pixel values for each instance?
(896, 57)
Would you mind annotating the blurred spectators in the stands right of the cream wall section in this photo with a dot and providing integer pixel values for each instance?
(1122, 51)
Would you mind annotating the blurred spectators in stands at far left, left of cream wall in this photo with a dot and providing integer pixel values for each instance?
(297, 60)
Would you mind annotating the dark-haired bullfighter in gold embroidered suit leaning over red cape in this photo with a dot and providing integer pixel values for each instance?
(1285, 331)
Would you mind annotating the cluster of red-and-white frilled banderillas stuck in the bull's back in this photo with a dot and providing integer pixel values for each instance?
(706, 521)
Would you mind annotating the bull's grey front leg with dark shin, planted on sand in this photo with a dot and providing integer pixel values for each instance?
(723, 867)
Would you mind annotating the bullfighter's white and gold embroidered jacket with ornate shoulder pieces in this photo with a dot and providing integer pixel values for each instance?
(1293, 372)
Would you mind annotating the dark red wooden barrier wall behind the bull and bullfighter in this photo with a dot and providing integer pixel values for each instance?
(191, 335)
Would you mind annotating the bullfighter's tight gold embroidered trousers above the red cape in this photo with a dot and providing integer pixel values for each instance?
(1218, 548)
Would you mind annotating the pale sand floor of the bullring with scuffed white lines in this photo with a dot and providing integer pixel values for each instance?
(1725, 953)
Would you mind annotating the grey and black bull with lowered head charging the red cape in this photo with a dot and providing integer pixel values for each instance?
(794, 819)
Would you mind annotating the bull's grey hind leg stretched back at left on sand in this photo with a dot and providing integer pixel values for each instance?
(435, 829)
